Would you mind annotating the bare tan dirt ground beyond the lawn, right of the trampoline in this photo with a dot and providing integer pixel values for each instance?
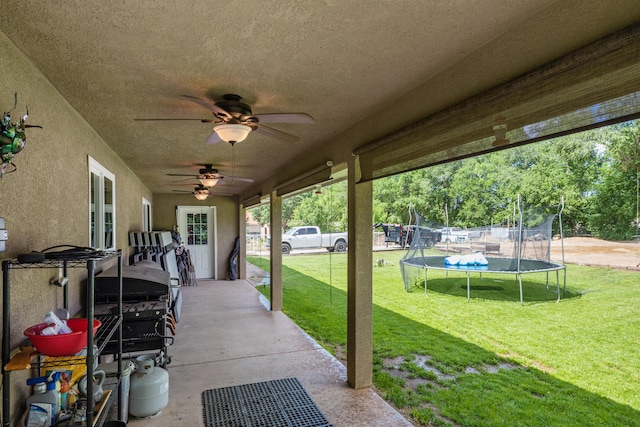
(596, 252)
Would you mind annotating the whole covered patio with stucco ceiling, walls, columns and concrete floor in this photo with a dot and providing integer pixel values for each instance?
(125, 99)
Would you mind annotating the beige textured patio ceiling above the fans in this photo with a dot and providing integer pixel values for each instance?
(361, 69)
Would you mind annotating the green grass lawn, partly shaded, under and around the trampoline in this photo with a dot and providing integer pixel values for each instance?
(443, 360)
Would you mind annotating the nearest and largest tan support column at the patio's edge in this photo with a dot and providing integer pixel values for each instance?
(359, 295)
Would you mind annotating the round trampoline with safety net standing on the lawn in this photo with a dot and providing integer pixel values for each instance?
(530, 237)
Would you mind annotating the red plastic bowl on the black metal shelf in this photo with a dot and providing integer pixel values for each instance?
(61, 345)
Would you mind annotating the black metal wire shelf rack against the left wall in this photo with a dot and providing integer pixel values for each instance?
(110, 325)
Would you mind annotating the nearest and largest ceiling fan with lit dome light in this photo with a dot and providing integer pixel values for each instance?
(233, 120)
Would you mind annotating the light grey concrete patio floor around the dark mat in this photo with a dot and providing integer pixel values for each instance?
(226, 336)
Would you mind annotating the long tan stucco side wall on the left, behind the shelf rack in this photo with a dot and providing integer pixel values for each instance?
(46, 201)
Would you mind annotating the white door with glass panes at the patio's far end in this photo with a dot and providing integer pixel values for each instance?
(197, 228)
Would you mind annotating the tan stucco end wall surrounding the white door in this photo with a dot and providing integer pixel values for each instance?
(164, 218)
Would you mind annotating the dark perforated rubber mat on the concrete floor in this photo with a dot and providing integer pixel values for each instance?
(278, 403)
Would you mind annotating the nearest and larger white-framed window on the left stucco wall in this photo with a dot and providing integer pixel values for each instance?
(102, 207)
